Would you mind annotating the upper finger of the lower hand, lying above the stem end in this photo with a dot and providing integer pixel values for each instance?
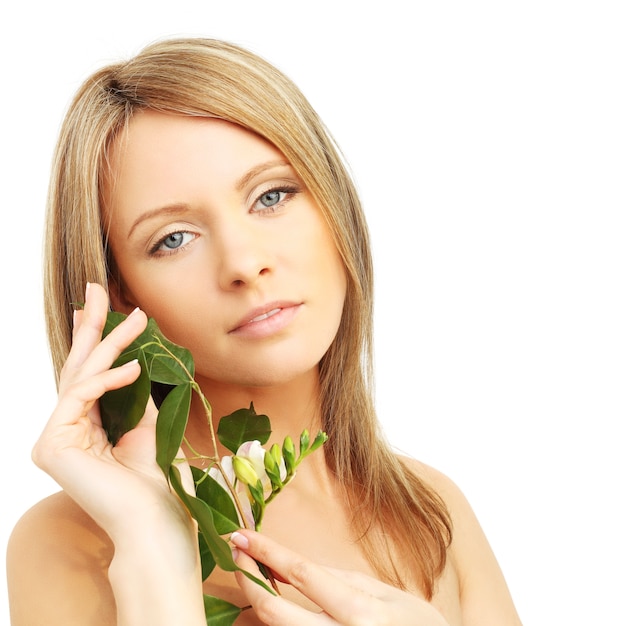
(338, 598)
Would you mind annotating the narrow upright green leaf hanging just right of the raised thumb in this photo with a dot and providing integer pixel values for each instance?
(171, 424)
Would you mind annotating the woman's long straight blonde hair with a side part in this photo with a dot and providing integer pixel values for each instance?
(394, 512)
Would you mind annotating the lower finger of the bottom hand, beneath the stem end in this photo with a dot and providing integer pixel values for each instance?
(274, 609)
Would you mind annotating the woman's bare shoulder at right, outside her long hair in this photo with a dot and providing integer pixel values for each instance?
(485, 597)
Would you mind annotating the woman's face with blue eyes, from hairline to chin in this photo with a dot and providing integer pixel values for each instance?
(215, 237)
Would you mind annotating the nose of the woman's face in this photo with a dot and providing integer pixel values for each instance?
(243, 255)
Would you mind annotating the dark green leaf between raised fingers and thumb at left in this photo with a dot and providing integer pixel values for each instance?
(121, 409)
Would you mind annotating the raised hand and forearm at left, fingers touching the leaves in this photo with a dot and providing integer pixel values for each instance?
(155, 572)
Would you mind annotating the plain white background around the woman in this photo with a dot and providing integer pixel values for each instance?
(488, 140)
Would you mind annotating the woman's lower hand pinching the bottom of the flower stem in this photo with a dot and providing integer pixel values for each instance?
(344, 597)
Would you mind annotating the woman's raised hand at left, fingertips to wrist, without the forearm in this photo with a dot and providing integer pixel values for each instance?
(73, 447)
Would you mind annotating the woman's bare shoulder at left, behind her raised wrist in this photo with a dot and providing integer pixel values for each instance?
(57, 563)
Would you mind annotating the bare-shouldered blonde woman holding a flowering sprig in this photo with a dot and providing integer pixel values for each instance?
(196, 185)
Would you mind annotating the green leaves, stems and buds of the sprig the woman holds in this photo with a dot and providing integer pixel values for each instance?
(217, 511)
